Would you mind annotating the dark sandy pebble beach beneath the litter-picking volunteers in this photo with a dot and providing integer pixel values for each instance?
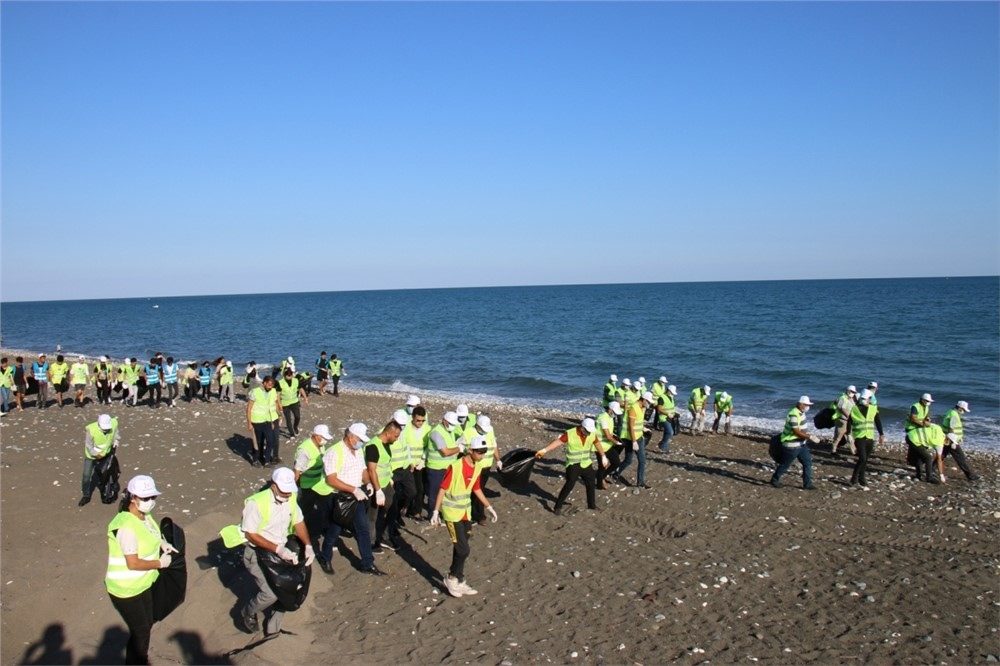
(711, 564)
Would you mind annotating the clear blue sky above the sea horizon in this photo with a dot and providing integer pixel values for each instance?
(182, 148)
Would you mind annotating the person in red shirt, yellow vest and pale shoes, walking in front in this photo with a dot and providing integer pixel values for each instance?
(453, 506)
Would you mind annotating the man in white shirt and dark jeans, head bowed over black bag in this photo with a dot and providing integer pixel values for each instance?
(344, 466)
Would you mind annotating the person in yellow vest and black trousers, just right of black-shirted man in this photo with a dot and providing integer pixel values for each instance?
(408, 465)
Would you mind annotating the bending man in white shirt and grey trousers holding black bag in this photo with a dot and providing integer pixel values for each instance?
(269, 517)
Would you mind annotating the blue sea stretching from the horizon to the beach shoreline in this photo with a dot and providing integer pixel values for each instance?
(765, 343)
